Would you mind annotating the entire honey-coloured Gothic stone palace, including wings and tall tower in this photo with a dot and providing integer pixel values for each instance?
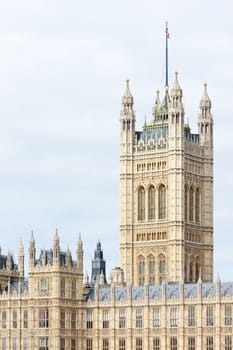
(162, 297)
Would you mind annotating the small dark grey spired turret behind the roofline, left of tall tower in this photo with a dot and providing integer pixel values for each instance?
(98, 266)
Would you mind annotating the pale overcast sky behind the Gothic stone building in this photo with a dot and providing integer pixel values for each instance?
(62, 70)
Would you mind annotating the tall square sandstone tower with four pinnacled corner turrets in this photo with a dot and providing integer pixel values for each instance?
(166, 182)
